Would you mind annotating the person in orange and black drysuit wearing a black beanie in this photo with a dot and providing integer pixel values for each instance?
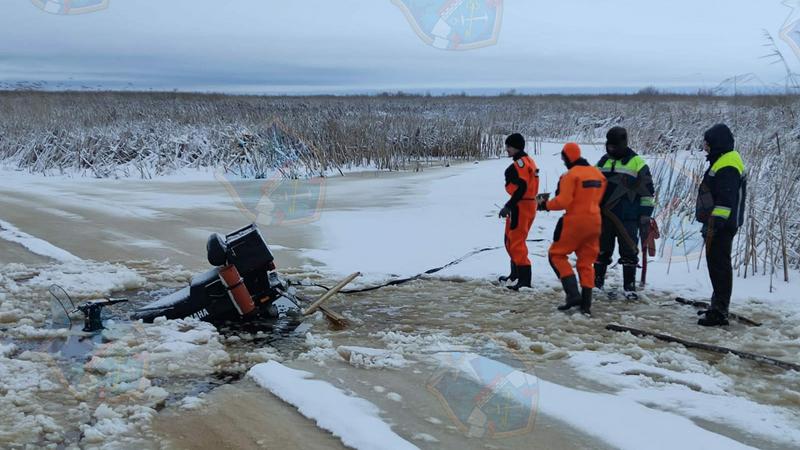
(522, 184)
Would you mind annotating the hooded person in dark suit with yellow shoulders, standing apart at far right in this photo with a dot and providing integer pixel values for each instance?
(720, 208)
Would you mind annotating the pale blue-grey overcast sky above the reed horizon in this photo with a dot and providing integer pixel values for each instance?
(317, 46)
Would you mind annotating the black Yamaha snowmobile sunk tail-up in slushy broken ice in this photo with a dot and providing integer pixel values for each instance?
(242, 285)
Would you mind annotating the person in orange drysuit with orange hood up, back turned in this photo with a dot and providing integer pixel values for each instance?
(579, 193)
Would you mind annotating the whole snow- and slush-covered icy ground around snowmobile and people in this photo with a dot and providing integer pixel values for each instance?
(420, 365)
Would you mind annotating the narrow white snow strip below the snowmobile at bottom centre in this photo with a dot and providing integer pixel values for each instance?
(353, 420)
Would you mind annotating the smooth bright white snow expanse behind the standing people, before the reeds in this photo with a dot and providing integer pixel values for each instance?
(457, 213)
